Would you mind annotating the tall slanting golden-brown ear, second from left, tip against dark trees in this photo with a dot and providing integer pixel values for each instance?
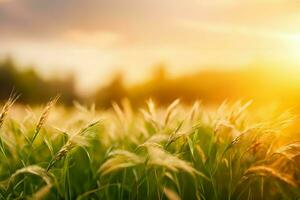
(44, 116)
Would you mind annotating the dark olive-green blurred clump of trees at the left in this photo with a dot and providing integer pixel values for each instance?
(31, 86)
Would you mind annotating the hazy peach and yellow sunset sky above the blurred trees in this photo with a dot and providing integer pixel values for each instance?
(94, 39)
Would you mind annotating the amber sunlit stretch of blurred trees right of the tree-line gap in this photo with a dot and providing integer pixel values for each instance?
(264, 85)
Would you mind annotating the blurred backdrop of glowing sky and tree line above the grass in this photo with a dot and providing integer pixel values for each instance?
(103, 51)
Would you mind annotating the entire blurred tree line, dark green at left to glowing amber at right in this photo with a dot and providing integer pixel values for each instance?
(211, 86)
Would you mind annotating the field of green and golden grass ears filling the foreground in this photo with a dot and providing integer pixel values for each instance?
(154, 152)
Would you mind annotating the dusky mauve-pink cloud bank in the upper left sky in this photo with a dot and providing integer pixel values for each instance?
(52, 17)
